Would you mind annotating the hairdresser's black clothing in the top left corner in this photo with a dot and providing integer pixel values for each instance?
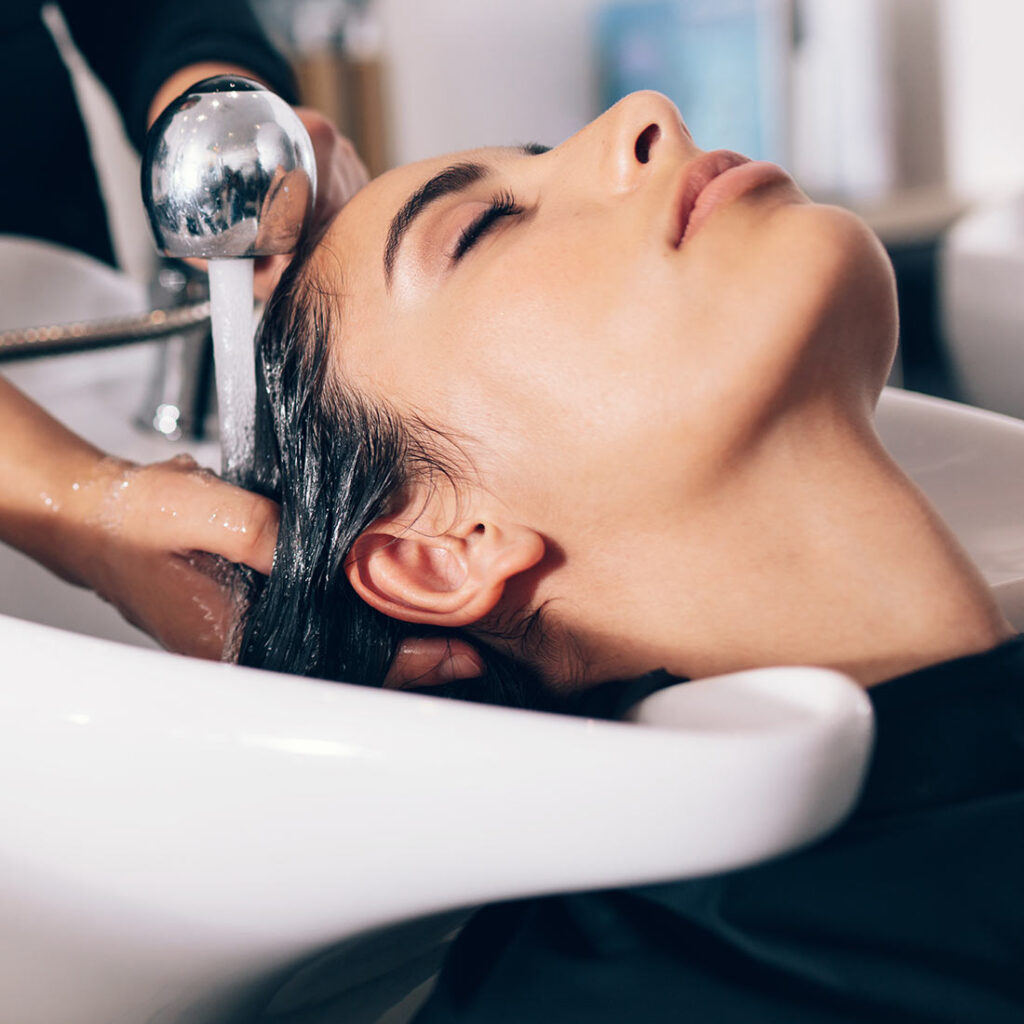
(49, 188)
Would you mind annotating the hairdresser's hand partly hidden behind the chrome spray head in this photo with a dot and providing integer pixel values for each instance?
(340, 175)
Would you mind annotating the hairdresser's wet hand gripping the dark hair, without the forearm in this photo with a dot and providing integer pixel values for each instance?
(155, 530)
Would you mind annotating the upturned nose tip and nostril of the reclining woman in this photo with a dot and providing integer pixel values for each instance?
(637, 136)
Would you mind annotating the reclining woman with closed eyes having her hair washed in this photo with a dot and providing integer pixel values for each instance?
(606, 410)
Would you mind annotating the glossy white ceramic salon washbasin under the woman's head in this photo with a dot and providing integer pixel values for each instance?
(180, 836)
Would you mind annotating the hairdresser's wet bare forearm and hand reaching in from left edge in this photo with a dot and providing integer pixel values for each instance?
(131, 533)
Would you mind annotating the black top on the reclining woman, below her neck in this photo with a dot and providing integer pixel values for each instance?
(913, 911)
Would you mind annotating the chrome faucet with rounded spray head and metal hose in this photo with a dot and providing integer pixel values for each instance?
(229, 173)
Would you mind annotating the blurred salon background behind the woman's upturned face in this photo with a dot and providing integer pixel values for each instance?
(910, 112)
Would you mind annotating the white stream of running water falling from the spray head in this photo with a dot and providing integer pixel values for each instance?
(233, 319)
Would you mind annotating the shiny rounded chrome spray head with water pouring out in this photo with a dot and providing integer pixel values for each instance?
(229, 172)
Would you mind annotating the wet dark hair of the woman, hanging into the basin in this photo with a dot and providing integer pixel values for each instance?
(336, 462)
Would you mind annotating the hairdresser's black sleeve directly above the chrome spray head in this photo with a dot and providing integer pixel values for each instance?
(136, 46)
